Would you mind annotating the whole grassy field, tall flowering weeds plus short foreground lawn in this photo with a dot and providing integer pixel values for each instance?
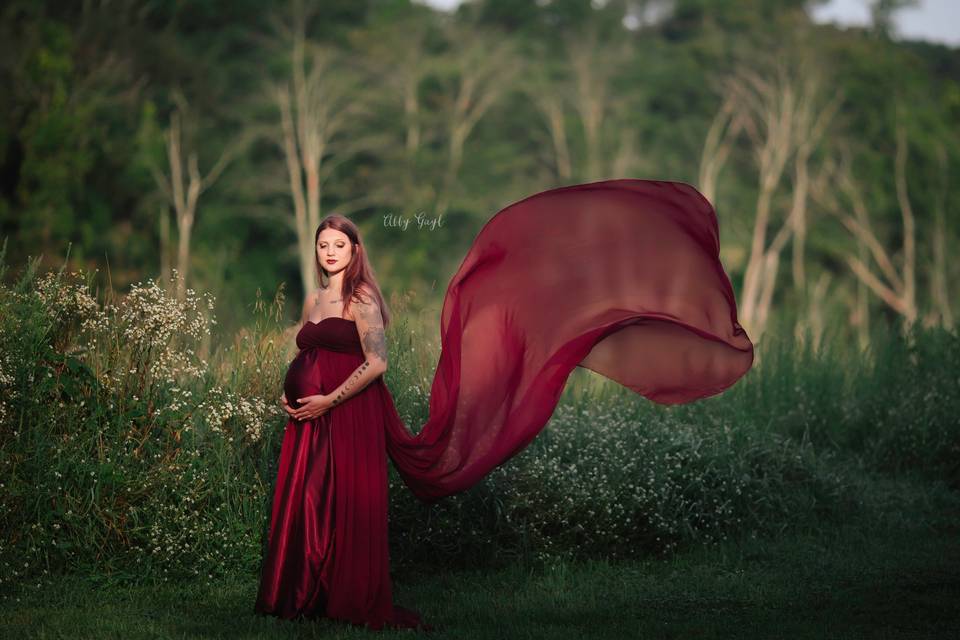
(817, 498)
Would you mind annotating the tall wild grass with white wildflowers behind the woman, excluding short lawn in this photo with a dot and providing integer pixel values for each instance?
(127, 449)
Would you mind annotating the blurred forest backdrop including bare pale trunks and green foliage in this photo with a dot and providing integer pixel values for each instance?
(211, 138)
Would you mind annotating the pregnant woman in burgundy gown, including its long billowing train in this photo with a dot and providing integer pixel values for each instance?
(622, 277)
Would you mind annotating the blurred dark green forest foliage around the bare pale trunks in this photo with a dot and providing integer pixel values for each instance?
(92, 86)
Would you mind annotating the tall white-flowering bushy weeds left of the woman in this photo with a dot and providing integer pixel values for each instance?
(121, 447)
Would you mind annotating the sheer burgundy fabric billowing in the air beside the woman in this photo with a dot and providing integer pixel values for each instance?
(622, 277)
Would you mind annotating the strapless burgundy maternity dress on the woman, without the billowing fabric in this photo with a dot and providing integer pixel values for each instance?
(328, 552)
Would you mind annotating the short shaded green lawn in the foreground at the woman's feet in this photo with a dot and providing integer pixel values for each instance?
(894, 578)
